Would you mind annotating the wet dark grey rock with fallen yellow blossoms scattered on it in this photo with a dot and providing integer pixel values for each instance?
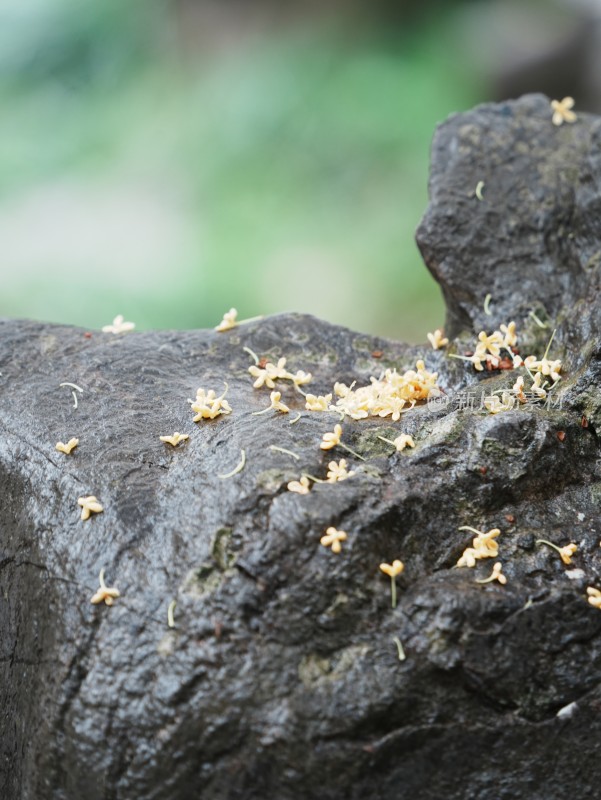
(281, 679)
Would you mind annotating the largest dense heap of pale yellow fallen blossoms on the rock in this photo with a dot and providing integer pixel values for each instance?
(387, 396)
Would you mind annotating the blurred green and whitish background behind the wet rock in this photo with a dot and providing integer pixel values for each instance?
(168, 160)
